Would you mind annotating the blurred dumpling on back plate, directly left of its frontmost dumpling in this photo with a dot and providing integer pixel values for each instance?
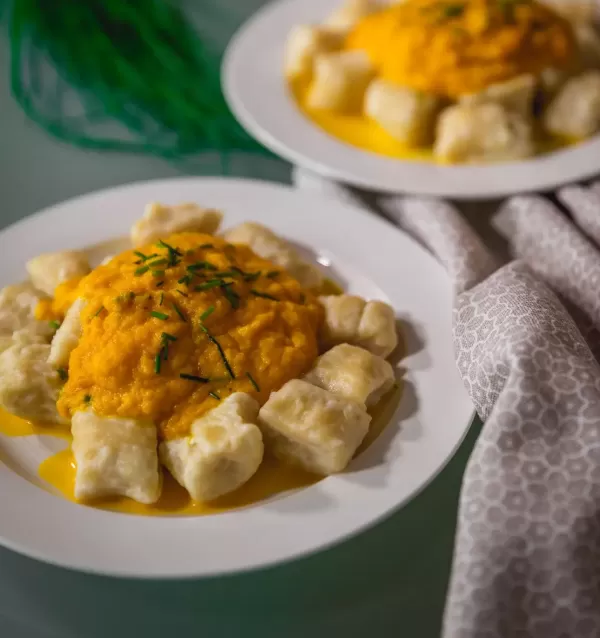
(405, 114)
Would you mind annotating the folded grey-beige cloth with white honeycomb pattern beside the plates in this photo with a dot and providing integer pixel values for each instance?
(528, 538)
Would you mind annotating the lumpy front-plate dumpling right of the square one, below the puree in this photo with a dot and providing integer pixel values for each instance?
(223, 451)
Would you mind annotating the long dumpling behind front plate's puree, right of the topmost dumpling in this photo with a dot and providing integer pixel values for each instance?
(266, 244)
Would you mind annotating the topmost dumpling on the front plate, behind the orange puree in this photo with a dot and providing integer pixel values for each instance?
(159, 221)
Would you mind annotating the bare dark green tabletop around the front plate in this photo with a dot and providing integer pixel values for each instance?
(389, 581)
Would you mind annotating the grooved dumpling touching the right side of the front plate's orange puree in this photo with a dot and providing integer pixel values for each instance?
(368, 324)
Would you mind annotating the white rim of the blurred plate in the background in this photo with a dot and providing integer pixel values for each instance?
(258, 95)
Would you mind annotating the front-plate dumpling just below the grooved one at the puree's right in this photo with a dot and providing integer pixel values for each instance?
(352, 373)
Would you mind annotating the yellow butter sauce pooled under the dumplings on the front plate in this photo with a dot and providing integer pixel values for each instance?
(272, 478)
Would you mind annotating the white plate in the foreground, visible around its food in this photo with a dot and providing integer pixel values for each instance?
(374, 260)
